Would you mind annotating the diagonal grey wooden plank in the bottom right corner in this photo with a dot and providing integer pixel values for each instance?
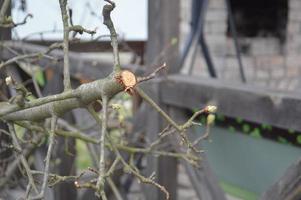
(288, 186)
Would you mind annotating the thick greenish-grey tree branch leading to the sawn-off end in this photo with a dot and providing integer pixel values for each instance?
(42, 108)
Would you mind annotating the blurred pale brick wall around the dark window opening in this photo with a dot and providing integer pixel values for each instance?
(267, 61)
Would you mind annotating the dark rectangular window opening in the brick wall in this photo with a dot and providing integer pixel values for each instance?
(260, 18)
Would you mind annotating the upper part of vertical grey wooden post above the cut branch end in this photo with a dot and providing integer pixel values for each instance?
(163, 26)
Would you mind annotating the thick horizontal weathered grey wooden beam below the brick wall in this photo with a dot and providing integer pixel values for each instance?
(276, 108)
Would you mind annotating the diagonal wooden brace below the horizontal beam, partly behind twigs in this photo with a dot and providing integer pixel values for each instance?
(203, 180)
